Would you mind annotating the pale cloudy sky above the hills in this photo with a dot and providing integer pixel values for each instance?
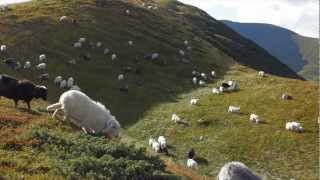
(301, 16)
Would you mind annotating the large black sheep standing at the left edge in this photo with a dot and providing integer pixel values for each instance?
(24, 90)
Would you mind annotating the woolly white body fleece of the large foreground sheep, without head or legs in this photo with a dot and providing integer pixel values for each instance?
(85, 112)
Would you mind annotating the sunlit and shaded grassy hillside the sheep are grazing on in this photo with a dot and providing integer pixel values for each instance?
(163, 87)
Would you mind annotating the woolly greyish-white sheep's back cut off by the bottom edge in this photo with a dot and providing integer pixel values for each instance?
(236, 171)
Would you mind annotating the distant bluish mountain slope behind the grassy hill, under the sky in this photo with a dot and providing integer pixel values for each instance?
(298, 52)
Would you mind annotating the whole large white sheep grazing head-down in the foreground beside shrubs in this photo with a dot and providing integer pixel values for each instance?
(86, 113)
